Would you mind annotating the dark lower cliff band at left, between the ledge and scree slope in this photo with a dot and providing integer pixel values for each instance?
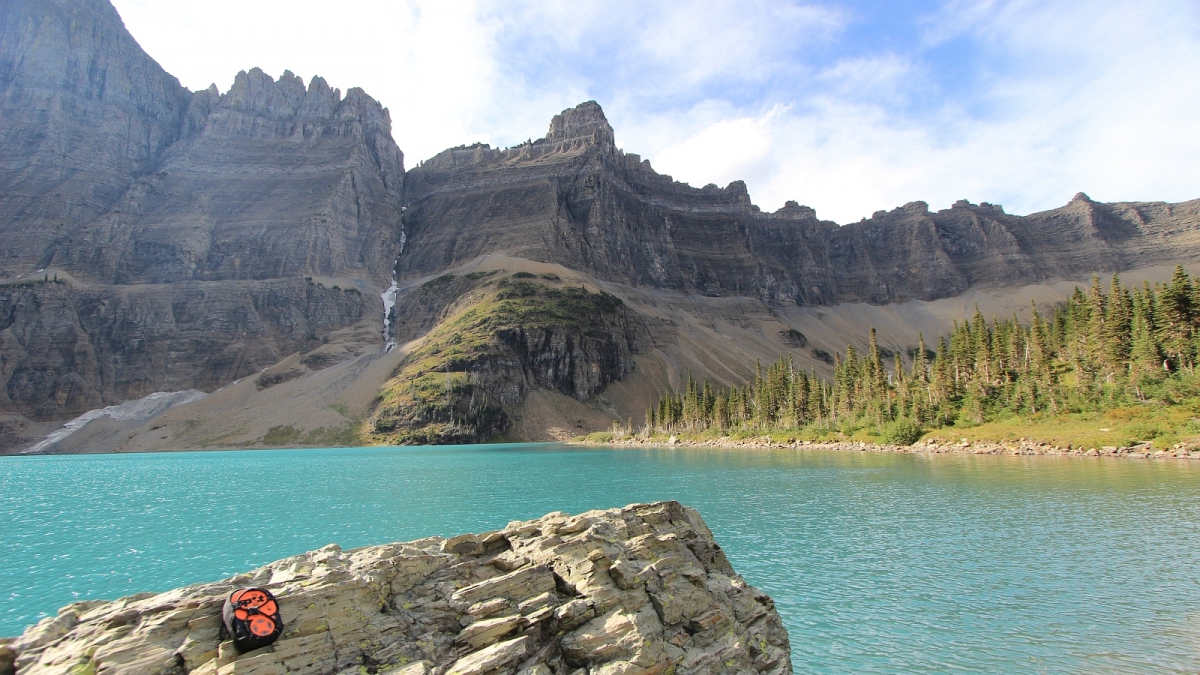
(68, 349)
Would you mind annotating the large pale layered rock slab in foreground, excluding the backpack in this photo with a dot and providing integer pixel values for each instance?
(641, 590)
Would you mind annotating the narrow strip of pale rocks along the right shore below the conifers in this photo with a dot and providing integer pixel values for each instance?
(933, 446)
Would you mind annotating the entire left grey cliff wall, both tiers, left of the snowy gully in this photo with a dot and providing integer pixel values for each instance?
(183, 224)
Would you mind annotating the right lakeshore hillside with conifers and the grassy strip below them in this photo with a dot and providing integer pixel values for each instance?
(1124, 361)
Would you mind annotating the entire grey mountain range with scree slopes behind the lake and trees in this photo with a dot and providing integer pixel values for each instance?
(158, 240)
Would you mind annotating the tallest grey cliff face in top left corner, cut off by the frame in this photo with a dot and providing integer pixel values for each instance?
(83, 114)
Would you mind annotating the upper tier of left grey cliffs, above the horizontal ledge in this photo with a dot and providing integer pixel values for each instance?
(113, 171)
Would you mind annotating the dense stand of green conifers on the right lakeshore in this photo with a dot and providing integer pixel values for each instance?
(1133, 338)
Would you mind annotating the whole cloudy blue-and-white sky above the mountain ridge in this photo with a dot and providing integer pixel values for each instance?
(849, 107)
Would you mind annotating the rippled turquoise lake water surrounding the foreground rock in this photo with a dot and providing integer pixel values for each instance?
(878, 563)
